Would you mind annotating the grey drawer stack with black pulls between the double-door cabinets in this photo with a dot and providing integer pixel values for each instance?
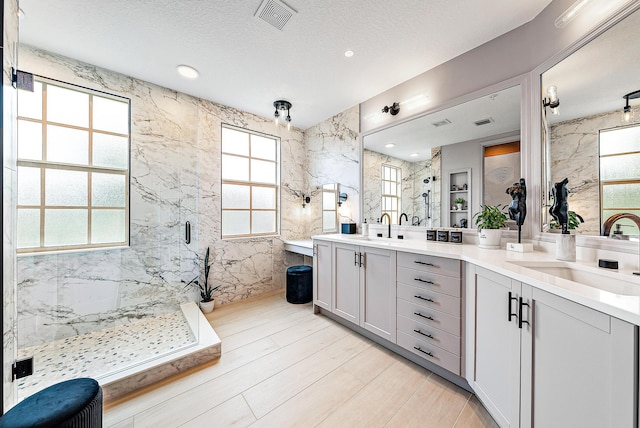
(429, 308)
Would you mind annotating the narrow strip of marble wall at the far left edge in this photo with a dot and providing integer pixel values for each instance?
(9, 200)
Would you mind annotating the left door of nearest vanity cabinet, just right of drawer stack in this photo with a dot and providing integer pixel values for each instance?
(495, 375)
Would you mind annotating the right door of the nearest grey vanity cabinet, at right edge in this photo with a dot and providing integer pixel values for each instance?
(580, 364)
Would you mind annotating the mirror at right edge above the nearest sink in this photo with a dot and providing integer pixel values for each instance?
(590, 140)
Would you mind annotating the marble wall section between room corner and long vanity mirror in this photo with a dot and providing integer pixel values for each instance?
(332, 156)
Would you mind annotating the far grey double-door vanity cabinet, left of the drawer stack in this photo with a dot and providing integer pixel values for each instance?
(363, 287)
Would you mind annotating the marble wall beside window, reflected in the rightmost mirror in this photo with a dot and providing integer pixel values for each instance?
(575, 155)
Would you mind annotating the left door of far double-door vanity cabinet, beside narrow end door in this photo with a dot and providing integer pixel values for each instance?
(346, 282)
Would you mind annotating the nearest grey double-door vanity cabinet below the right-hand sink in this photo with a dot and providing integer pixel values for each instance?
(544, 361)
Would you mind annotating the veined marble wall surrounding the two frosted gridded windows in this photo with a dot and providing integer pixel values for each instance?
(175, 177)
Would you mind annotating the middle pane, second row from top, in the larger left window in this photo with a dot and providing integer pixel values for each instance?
(67, 145)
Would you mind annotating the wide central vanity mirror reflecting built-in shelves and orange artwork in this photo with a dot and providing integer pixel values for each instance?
(412, 167)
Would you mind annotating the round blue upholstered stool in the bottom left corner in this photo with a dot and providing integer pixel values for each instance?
(75, 403)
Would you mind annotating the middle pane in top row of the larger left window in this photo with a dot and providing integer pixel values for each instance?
(67, 106)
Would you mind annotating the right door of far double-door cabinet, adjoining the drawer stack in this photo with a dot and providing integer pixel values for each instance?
(378, 292)
